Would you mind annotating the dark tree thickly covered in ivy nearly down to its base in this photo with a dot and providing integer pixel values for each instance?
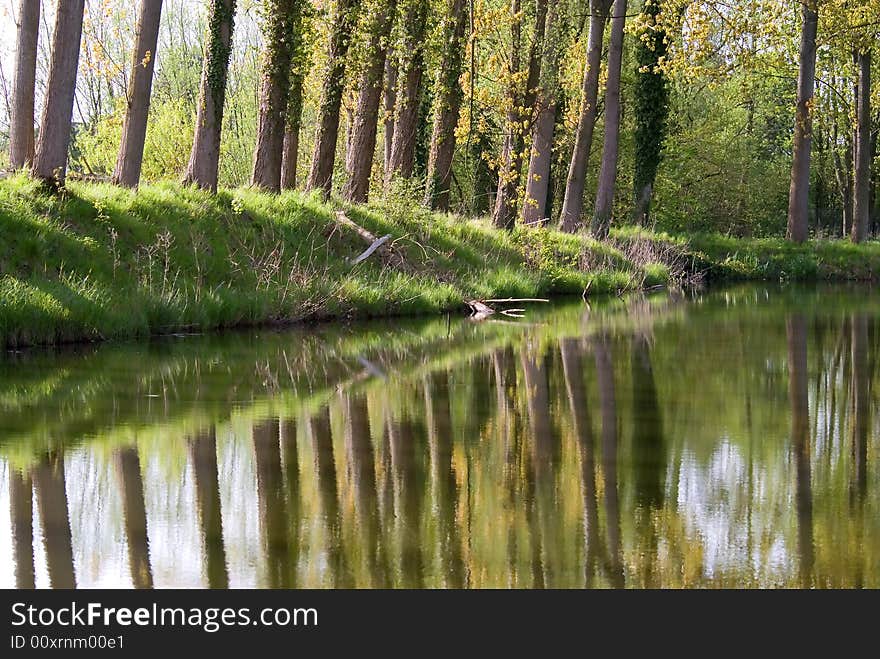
(651, 96)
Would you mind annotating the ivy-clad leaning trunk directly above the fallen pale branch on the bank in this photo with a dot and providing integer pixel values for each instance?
(359, 160)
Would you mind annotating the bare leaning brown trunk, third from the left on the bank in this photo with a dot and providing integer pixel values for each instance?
(134, 127)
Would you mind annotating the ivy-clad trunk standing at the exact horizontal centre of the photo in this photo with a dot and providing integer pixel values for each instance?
(447, 108)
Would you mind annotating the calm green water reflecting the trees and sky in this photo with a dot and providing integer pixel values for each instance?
(720, 439)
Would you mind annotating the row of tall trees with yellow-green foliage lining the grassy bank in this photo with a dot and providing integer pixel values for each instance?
(498, 74)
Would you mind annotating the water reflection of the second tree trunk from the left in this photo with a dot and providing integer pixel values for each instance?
(51, 490)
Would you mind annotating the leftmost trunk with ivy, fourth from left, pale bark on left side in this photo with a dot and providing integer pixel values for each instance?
(204, 159)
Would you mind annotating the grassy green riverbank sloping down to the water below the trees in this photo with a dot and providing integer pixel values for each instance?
(102, 262)
